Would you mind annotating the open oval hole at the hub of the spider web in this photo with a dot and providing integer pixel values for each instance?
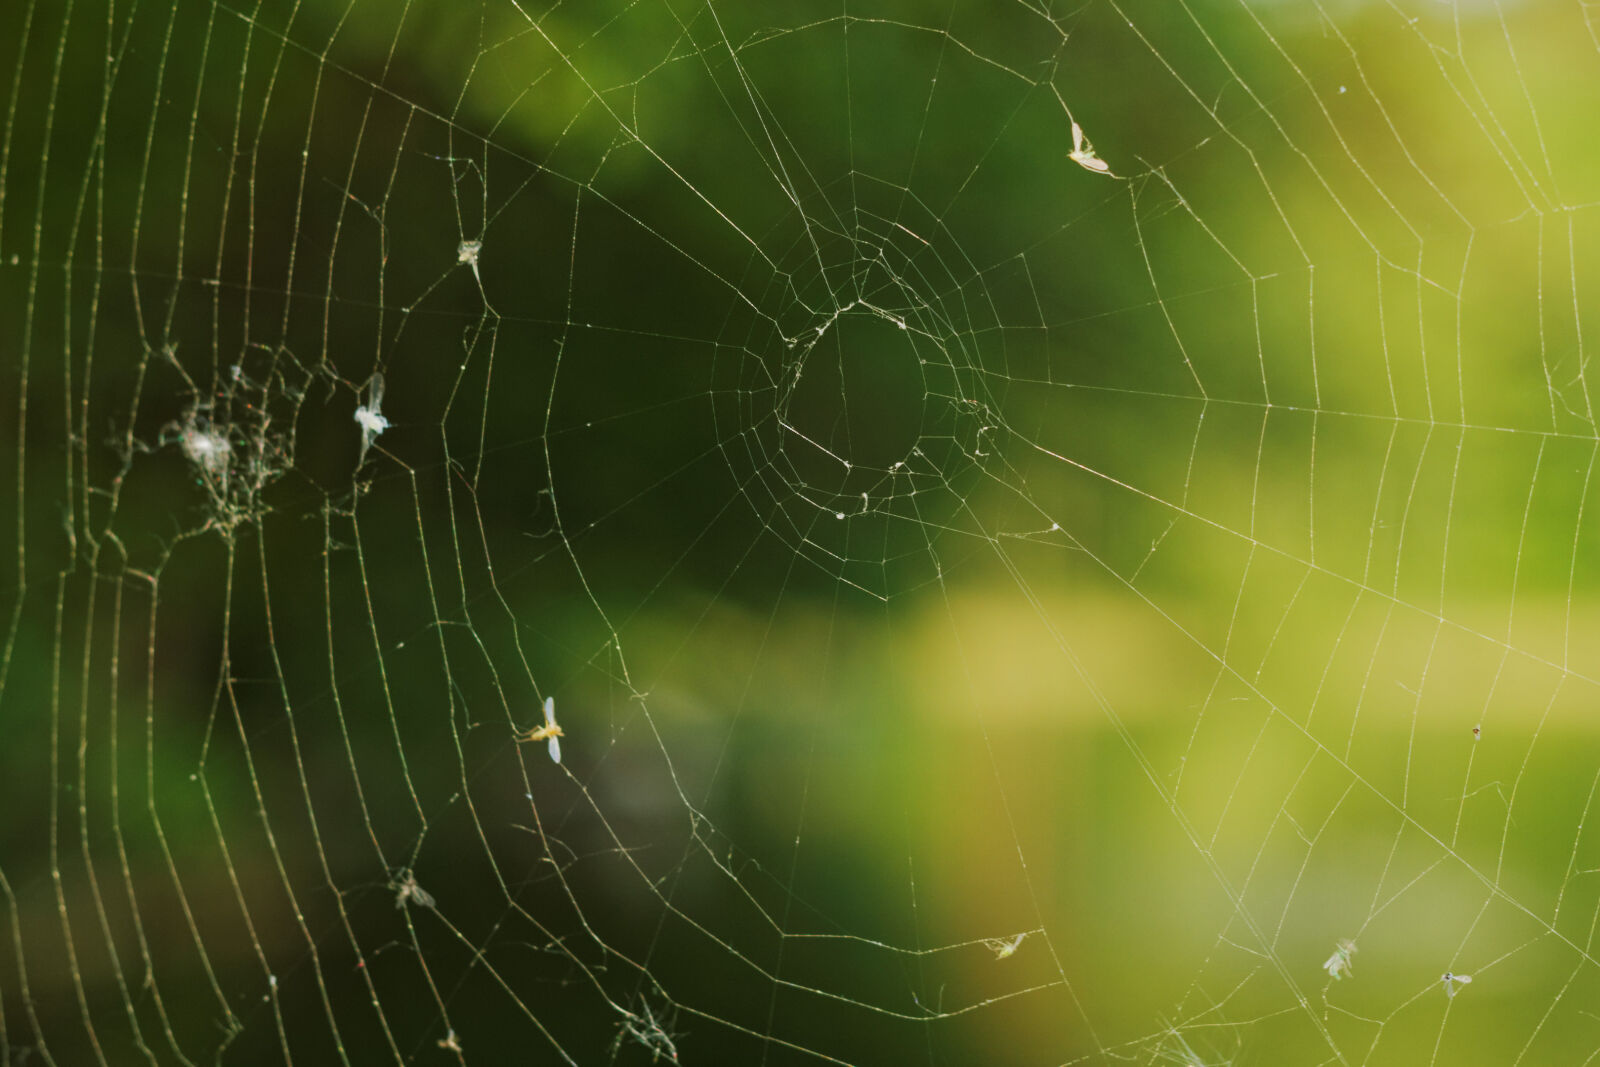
(858, 402)
